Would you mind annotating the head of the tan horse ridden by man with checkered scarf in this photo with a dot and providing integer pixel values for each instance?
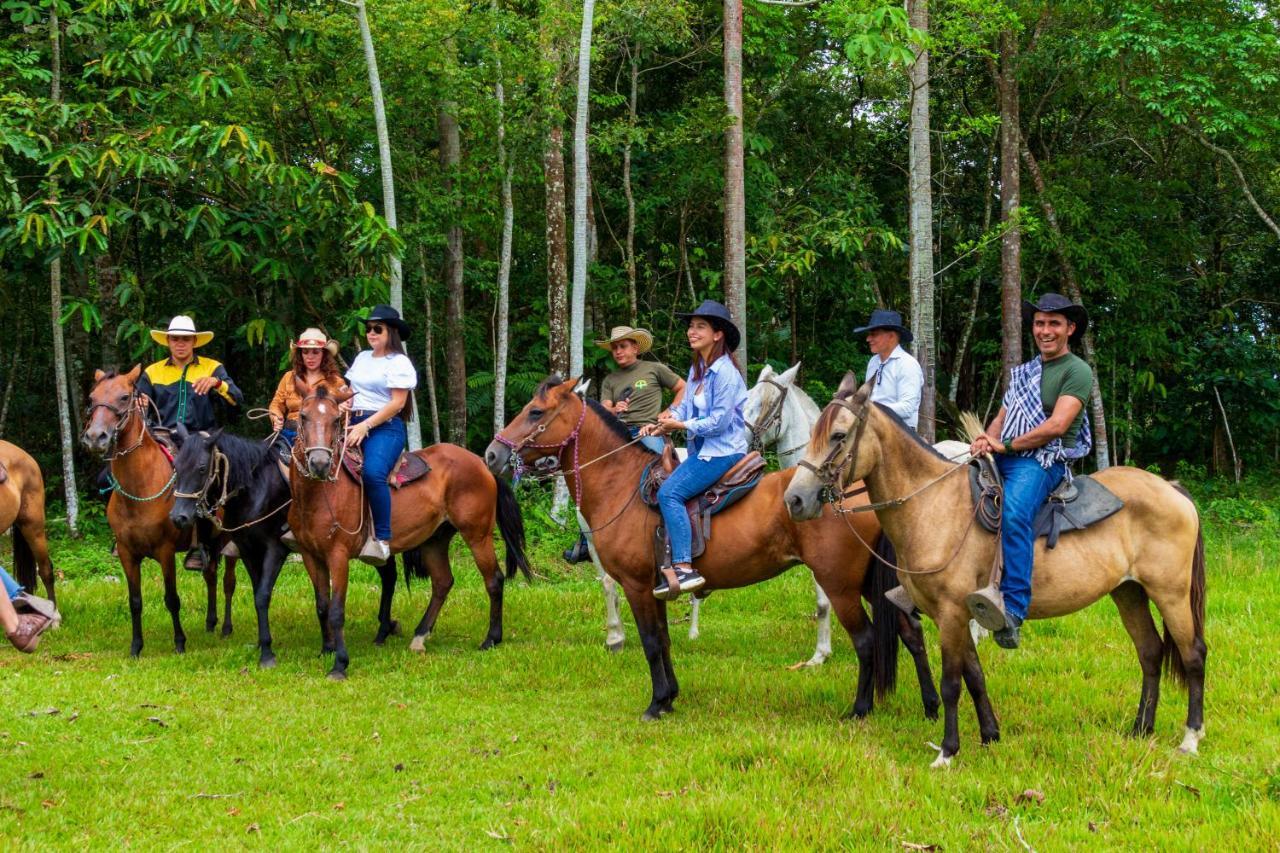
(842, 451)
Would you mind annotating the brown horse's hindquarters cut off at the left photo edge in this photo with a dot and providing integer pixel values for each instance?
(22, 507)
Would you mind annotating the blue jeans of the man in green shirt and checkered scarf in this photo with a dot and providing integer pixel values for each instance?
(1027, 487)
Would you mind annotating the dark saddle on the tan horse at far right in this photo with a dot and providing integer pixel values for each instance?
(1075, 505)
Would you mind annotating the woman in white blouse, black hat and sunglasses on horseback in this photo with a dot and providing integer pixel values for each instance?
(383, 377)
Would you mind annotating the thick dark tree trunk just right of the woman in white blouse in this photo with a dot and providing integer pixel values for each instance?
(455, 307)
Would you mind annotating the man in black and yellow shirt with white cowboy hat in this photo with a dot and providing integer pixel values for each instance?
(180, 387)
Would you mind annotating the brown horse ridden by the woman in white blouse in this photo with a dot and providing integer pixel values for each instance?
(331, 522)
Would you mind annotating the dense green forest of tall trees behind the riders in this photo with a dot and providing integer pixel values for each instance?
(221, 158)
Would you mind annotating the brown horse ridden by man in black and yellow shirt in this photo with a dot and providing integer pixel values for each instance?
(143, 483)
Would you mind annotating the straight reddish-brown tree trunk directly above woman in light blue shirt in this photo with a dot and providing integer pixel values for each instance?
(735, 185)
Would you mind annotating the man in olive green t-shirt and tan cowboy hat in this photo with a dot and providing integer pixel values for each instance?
(634, 394)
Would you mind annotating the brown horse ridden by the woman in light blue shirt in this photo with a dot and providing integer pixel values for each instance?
(753, 541)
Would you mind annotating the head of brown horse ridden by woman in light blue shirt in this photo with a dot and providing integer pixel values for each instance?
(545, 427)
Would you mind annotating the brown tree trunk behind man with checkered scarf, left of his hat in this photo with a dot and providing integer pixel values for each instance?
(1011, 189)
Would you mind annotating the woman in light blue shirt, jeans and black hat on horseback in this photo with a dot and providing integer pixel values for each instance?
(711, 414)
